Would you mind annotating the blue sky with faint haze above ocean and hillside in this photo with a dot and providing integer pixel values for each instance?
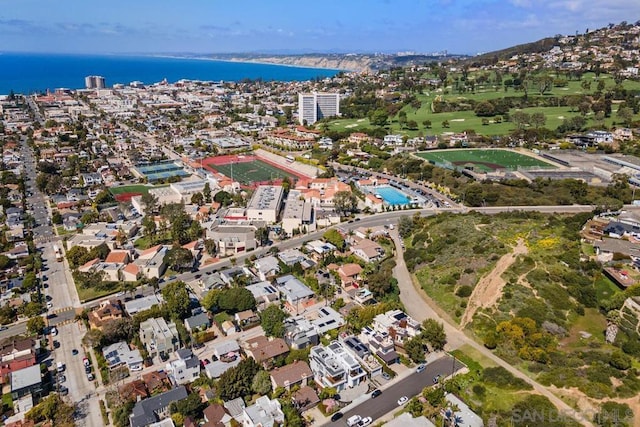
(203, 26)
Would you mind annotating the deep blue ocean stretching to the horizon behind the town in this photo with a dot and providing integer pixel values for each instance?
(32, 72)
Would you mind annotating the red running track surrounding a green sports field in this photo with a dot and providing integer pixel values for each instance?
(249, 170)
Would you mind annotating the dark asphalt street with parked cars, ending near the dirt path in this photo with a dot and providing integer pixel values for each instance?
(408, 386)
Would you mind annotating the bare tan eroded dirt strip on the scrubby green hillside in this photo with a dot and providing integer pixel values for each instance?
(489, 289)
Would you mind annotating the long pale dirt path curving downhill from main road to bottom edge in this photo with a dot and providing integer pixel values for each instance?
(417, 306)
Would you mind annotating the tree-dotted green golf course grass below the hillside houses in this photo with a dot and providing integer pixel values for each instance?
(459, 121)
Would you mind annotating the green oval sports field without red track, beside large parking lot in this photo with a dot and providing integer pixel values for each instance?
(484, 160)
